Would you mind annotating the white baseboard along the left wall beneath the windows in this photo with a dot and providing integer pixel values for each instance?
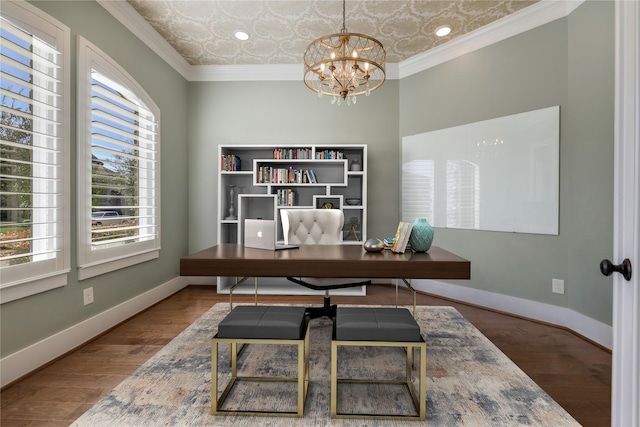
(36, 355)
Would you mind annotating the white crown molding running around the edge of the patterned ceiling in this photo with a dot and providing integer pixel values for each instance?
(525, 19)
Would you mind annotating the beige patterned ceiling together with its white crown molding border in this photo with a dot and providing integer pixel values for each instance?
(196, 36)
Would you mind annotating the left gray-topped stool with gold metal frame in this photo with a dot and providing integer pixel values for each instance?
(261, 325)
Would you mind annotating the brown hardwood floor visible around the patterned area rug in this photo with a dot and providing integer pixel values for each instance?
(574, 372)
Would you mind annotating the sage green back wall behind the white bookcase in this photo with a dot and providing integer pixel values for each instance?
(288, 113)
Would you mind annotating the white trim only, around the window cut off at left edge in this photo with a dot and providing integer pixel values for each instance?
(19, 284)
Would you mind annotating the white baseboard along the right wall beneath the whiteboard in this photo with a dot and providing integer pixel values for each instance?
(587, 327)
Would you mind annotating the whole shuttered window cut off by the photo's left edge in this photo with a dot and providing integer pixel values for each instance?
(34, 151)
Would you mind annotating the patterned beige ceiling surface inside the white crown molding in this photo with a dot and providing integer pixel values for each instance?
(280, 30)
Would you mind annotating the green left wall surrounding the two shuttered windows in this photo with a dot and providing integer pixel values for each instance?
(29, 320)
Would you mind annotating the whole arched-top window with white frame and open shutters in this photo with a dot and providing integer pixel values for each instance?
(118, 167)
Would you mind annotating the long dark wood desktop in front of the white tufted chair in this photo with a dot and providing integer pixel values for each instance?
(324, 261)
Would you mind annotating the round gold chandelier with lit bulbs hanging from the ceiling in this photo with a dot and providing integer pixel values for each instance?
(344, 65)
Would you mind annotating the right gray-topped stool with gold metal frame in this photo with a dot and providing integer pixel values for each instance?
(379, 327)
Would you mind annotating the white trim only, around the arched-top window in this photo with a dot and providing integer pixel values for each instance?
(94, 263)
